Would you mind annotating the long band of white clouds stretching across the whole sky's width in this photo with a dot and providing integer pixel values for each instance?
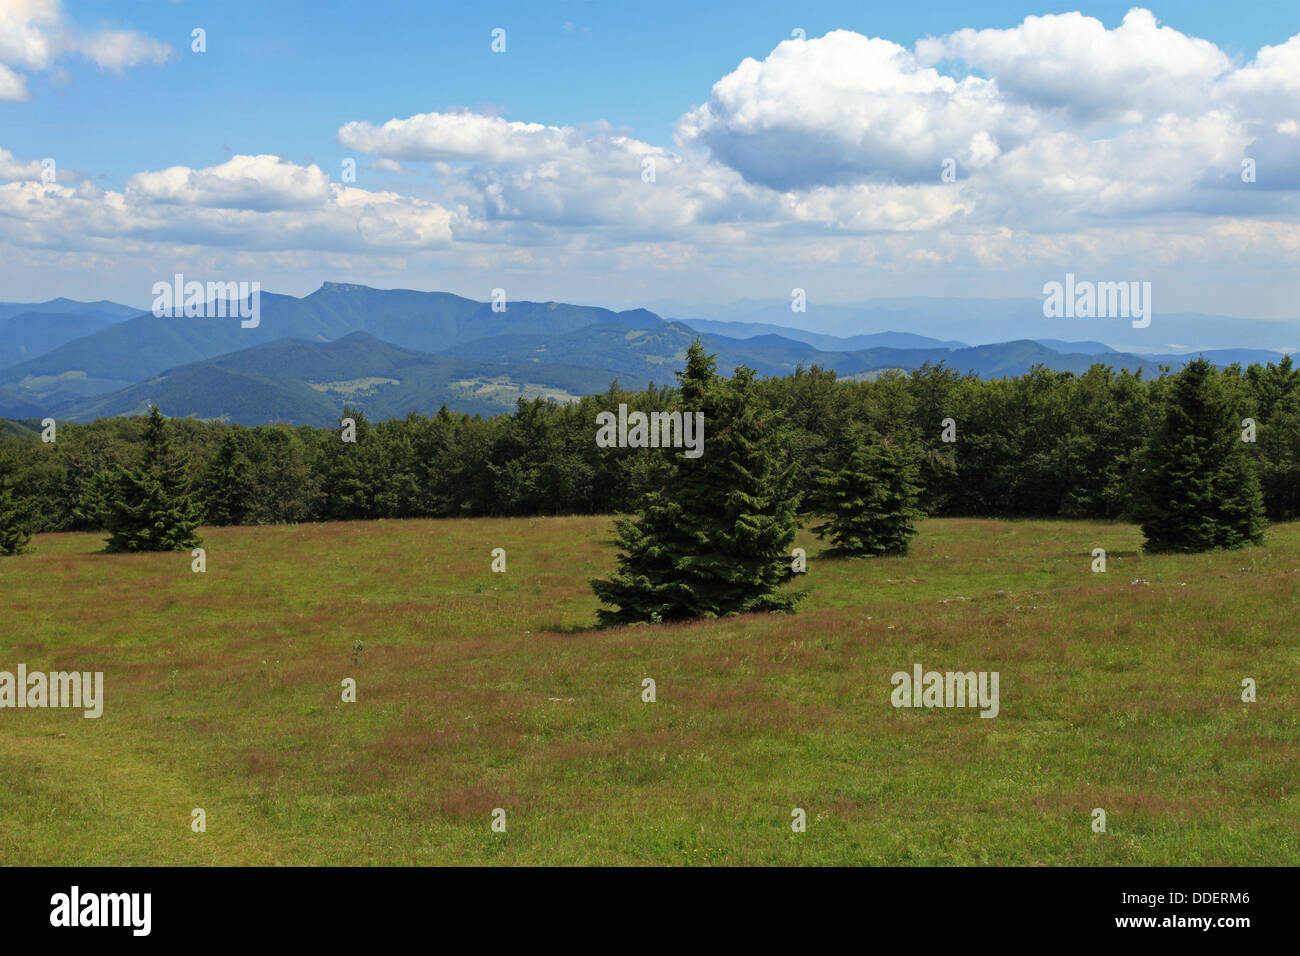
(1074, 142)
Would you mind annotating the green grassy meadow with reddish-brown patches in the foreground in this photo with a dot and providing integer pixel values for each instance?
(1115, 695)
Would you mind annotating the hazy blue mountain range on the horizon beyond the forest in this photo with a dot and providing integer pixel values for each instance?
(396, 352)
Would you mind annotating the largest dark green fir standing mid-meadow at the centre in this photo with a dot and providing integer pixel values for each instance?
(714, 540)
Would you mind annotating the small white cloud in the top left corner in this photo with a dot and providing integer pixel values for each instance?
(34, 33)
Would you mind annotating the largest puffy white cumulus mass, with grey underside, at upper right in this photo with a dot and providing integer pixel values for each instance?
(1072, 123)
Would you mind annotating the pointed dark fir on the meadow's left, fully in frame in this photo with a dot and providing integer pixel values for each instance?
(151, 509)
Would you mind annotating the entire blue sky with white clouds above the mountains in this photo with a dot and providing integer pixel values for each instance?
(623, 154)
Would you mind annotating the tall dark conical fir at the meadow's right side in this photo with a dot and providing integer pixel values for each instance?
(1198, 488)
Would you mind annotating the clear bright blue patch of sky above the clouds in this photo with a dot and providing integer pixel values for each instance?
(283, 77)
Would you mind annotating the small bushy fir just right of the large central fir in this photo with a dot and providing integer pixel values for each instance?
(870, 494)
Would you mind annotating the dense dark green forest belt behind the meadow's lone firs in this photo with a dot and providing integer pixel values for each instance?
(1043, 444)
